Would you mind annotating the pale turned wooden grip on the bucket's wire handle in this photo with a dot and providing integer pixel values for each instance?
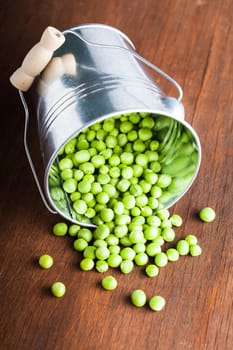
(37, 59)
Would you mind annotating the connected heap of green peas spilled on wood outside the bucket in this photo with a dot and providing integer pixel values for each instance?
(140, 242)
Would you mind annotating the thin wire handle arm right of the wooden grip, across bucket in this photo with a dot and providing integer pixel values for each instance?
(135, 54)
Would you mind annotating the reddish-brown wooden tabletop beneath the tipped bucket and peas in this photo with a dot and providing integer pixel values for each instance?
(192, 40)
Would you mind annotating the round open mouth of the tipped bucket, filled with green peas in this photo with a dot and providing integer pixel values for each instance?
(124, 166)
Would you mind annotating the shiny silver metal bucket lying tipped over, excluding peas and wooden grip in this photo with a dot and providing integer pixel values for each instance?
(102, 76)
